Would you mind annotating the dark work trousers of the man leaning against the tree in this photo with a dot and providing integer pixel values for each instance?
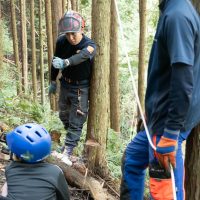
(71, 100)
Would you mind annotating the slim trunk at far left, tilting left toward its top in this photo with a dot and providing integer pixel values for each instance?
(15, 46)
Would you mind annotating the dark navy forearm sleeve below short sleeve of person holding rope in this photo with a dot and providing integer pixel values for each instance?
(181, 87)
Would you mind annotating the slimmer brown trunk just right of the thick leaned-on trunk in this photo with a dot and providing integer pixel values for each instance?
(114, 72)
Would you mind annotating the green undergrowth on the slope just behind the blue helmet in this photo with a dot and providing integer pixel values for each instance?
(17, 110)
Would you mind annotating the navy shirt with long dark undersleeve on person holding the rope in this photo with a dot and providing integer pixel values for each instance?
(172, 99)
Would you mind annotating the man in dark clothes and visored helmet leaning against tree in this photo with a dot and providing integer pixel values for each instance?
(73, 55)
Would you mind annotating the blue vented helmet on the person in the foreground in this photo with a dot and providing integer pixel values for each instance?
(30, 142)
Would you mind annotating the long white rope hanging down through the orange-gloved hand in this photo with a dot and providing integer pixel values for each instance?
(135, 93)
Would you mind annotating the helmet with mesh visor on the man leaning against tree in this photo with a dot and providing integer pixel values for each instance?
(71, 22)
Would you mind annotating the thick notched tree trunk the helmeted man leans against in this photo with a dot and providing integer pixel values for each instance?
(99, 92)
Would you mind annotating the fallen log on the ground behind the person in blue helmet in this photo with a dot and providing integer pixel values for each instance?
(83, 181)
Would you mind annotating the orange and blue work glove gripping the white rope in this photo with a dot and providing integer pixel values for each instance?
(166, 150)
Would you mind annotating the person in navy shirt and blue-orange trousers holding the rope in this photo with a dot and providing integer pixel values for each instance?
(172, 105)
